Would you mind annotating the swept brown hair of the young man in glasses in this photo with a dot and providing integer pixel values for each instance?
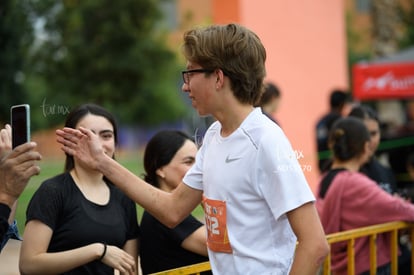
(234, 49)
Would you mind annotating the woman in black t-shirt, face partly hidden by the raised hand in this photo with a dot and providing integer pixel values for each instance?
(78, 222)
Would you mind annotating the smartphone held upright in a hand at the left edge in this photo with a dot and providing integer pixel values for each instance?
(20, 123)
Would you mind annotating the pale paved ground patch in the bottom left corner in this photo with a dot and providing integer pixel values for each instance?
(9, 258)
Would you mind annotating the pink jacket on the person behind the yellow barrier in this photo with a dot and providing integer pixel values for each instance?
(353, 200)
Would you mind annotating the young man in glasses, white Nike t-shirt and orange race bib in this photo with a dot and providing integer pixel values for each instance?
(260, 211)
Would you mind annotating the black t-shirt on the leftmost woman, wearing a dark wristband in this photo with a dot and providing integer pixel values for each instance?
(77, 222)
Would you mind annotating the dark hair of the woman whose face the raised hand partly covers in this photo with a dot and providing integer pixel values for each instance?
(77, 114)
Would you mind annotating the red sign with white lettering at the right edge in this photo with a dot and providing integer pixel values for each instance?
(382, 81)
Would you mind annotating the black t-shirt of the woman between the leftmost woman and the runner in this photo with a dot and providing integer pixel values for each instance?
(161, 246)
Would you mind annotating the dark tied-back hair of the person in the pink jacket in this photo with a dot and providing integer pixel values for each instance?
(347, 138)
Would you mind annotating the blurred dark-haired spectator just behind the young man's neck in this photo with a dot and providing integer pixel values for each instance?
(270, 100)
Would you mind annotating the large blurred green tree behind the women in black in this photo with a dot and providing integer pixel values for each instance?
(107, 52)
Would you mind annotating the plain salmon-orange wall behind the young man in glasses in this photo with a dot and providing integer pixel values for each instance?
(306, 58)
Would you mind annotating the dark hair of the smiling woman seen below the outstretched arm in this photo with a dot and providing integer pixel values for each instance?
(160, 150)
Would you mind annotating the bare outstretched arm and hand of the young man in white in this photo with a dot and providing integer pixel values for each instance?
(168, 208)
